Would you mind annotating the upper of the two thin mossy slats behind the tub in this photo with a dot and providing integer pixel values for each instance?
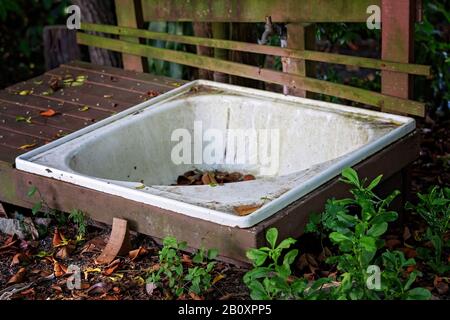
(291, 53)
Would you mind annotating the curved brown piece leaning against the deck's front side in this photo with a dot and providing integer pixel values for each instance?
(118, 243)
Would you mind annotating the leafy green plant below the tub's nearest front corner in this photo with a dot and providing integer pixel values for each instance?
(275, 280)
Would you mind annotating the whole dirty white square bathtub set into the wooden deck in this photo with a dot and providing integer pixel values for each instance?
(292, 145)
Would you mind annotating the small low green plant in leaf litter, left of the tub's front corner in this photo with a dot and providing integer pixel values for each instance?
(197, 279)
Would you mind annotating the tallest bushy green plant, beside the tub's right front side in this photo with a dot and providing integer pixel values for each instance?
(357, 236)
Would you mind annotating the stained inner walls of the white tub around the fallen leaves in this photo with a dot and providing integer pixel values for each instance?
(140, 150)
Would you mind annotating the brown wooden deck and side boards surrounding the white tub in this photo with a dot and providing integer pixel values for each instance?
(110, 90)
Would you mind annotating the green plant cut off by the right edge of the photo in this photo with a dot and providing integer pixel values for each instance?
(434, 208)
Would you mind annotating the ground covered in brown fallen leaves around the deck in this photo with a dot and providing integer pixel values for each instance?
(38, 269)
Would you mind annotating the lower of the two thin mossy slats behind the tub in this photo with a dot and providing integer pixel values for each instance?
(295, 81)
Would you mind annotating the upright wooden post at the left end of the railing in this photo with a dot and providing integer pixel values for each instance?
(129, 14)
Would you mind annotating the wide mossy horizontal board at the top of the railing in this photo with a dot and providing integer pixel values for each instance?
(256, 10)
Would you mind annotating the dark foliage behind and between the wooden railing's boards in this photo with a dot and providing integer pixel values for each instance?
(21, 50)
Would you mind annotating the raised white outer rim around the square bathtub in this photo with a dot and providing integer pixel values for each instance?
(406, 126)
